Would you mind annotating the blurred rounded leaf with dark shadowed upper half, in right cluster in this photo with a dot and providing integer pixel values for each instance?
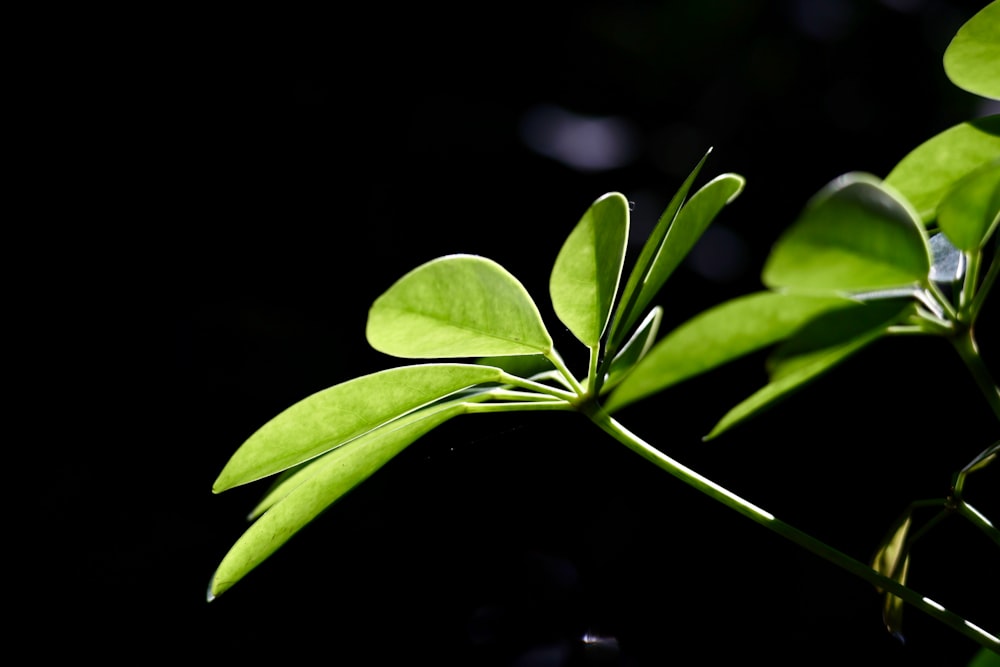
(855, 235)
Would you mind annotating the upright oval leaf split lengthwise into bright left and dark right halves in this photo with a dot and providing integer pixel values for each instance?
(585, 276)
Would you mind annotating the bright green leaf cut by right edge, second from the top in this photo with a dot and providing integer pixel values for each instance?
(930, 170)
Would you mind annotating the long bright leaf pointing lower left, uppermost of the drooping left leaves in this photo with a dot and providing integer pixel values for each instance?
(338, 414)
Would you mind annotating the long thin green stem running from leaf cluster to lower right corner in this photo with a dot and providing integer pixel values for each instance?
(766, 519)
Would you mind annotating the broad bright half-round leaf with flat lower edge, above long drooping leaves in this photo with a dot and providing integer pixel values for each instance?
(457, 306)
